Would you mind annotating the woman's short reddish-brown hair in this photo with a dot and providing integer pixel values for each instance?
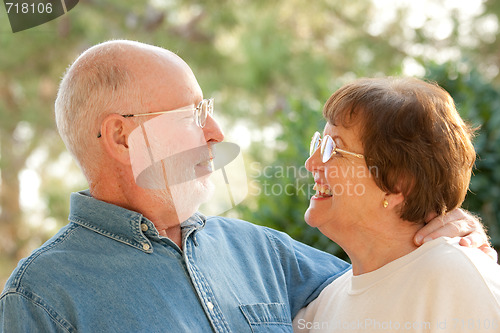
(414, 141)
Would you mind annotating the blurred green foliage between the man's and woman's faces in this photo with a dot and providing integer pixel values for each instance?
(282, 185)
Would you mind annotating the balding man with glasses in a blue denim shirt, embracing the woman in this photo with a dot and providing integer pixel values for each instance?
(139, 259)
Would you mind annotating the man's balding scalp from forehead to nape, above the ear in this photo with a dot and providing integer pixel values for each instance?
(120, 77)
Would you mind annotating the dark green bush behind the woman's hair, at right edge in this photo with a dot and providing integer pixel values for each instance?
(479, 102)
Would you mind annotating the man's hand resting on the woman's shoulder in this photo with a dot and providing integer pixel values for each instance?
(457, 223)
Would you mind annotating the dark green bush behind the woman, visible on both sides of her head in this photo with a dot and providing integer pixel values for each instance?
(284, 185)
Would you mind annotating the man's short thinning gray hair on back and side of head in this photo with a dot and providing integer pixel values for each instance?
(98, 83)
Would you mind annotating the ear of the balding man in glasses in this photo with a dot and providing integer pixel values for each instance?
(115, 130)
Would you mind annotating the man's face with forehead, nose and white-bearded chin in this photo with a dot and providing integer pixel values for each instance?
(170, 153)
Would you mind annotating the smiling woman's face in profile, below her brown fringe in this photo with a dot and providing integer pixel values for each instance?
(346, 193)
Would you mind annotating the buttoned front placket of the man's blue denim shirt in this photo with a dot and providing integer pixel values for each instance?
(204, 291)
